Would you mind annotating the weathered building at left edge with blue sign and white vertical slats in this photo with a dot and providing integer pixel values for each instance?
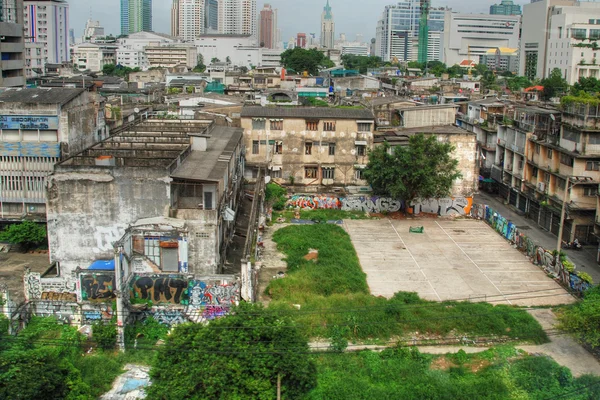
(38, 128)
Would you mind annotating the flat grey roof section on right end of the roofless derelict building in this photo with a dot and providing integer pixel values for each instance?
(210, 165)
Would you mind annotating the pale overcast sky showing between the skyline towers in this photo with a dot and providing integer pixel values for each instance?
(351, 16)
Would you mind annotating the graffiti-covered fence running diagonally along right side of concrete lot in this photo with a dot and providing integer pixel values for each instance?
(546, 259)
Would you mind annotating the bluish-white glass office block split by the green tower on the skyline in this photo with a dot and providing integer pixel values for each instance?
(397, 35)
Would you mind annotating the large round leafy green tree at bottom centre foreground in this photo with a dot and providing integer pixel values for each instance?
(239, 356)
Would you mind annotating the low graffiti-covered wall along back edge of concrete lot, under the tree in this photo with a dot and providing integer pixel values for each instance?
(376, 204)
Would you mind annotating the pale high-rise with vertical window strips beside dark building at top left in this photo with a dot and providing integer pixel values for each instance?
(47, 22)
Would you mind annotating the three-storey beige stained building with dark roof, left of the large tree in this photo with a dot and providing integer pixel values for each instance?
(308, 146)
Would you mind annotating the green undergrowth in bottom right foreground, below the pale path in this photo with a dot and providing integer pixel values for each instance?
(401, 373)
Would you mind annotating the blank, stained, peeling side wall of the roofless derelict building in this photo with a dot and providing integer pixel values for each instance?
(89, 209)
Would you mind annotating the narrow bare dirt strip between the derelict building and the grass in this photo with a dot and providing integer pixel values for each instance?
(272, 262)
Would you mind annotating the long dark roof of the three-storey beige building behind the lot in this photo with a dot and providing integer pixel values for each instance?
(306, 112)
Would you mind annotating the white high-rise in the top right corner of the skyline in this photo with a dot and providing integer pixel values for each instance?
(572, 45)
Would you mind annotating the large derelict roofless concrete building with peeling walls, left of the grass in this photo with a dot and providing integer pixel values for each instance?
(186, 170)
